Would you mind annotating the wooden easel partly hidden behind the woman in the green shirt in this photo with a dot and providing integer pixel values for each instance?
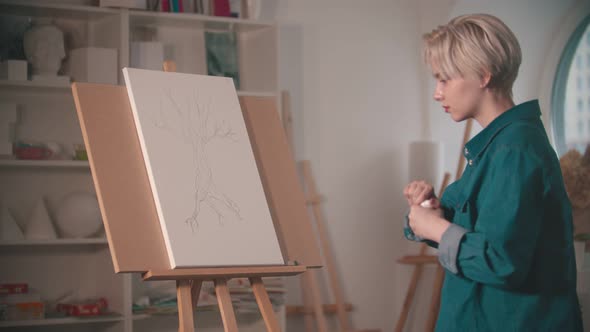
(421, 259)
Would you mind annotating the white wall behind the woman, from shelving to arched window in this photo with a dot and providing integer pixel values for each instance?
(360, 94)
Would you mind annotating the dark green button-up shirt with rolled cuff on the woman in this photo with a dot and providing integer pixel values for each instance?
(509, 254)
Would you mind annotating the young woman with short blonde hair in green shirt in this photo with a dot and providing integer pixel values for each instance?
(504, 230)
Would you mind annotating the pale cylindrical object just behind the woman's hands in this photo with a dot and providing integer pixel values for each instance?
(426, 162)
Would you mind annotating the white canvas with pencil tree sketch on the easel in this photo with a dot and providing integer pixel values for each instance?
(201, 167)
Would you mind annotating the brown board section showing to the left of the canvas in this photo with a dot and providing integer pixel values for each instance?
(120, 178)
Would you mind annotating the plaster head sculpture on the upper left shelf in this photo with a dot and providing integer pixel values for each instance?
(44, 47)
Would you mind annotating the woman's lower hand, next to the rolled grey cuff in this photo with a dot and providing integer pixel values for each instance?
(428, 223)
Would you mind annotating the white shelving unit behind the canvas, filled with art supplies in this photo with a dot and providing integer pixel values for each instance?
(83, 267)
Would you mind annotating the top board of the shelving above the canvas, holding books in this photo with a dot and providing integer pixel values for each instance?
(194, 21)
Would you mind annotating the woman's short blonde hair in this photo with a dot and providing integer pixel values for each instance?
(475, 44)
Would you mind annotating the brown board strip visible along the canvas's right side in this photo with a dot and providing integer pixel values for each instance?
(280, 179)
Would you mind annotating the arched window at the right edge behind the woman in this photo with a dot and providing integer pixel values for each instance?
(569, 92)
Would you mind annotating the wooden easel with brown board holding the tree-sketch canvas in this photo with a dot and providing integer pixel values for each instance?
(118, 170)
